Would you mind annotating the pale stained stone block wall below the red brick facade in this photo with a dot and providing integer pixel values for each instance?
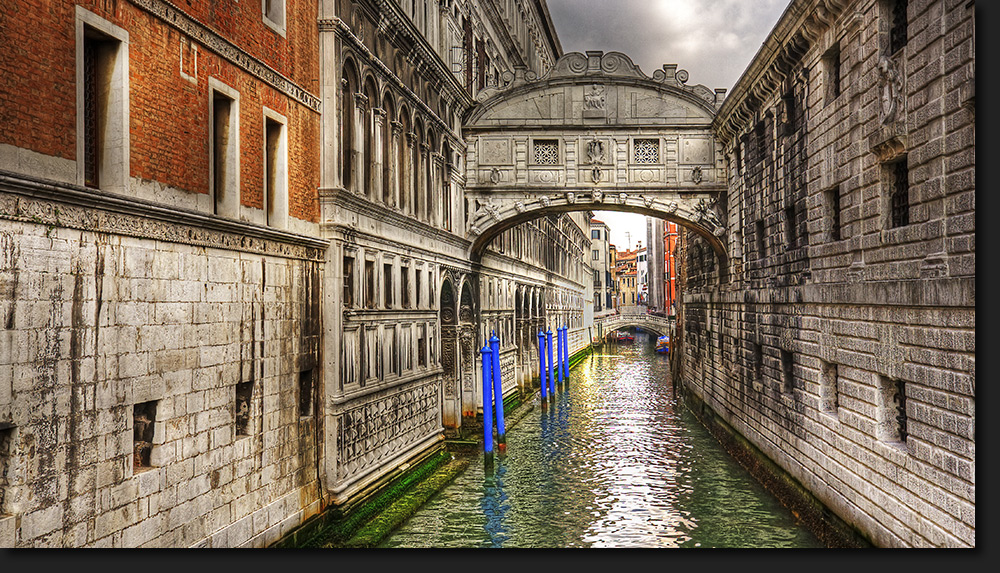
(98, 325)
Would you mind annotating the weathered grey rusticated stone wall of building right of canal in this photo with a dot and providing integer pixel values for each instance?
(844, 346)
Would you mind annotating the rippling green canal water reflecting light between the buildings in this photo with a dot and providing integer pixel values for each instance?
(612, 461)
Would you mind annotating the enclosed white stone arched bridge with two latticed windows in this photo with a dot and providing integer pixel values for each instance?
(595, 133)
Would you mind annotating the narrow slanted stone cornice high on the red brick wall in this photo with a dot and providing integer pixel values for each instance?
(177, 18)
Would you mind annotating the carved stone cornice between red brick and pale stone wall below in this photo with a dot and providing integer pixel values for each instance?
(63, 205)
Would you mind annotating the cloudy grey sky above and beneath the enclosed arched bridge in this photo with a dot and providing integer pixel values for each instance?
(714, 40)
